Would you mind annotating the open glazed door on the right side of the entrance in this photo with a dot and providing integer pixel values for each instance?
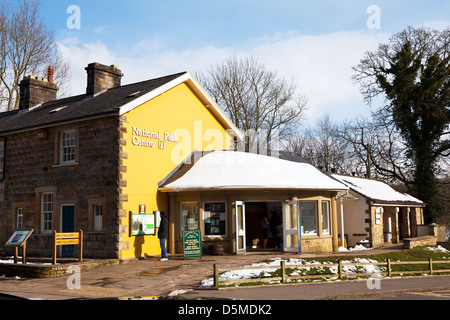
(291, 227)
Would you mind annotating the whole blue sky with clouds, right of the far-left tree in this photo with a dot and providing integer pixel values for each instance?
(314, 42)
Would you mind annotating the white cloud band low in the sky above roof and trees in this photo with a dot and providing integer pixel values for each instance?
(320, 65)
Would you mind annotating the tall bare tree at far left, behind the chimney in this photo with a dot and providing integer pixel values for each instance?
(27, 47)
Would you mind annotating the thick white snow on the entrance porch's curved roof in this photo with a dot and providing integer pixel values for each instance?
(241, 170)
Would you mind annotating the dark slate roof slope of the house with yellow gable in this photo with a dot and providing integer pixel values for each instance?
(79, 107)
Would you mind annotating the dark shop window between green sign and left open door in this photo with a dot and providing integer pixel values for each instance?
(214, 218)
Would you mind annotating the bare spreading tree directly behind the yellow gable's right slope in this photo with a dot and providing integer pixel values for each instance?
(255, 98)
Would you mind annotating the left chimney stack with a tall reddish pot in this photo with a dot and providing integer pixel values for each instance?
(35, 90)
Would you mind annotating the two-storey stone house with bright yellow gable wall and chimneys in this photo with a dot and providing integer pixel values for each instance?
(89, 161)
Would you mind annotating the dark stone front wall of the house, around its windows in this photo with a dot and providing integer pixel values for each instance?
(32, 167)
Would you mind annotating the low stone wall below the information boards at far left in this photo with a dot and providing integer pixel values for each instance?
(31, 270)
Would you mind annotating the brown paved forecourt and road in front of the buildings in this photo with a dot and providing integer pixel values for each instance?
(150, 277)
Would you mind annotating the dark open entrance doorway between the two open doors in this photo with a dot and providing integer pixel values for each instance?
(263, 225)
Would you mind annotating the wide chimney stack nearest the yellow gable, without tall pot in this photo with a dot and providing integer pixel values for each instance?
(101, 77)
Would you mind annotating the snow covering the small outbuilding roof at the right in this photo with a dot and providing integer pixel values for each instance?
(376, 190)
